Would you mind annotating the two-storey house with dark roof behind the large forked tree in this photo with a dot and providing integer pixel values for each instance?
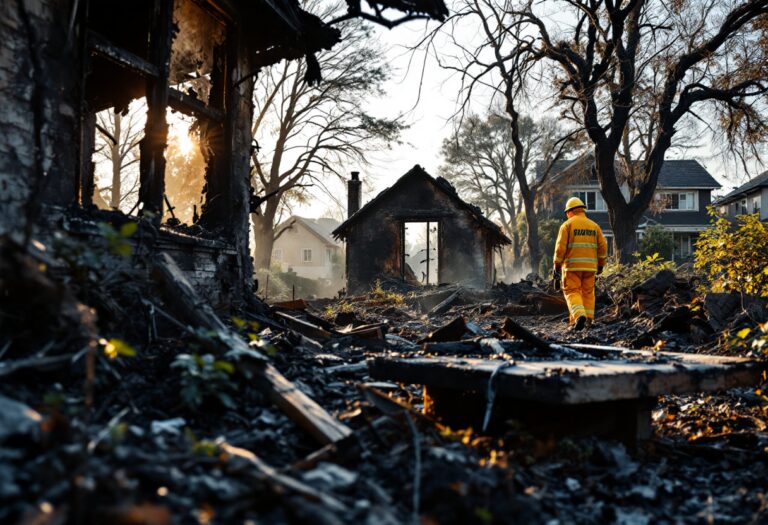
(683, 193)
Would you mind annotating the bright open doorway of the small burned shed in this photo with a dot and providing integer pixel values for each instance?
(420, 262)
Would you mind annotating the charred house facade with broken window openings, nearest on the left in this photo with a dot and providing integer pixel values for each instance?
(184, 63)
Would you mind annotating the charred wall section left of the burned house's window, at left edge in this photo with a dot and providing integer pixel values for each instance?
(39, 109)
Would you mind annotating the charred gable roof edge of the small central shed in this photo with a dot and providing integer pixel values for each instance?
(441, 185)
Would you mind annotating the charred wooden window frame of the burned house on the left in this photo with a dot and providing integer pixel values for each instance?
(160, 96)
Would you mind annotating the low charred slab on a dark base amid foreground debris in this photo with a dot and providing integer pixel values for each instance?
(566, 397)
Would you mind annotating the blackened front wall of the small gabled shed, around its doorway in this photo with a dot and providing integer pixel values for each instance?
(374, 241)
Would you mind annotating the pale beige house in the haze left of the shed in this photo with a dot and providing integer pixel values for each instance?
(308, 248)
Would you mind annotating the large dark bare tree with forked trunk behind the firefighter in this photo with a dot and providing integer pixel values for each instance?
(677, 60)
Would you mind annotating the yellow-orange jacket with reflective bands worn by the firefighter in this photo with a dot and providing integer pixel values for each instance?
(581, 245)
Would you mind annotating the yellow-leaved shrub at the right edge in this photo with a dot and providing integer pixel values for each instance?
(734, 256)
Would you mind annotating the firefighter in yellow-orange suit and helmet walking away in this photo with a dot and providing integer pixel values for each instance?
(580, 254)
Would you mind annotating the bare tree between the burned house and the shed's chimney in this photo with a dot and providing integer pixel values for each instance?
(306, 135)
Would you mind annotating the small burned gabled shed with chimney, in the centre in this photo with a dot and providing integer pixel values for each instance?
(460, 240)
